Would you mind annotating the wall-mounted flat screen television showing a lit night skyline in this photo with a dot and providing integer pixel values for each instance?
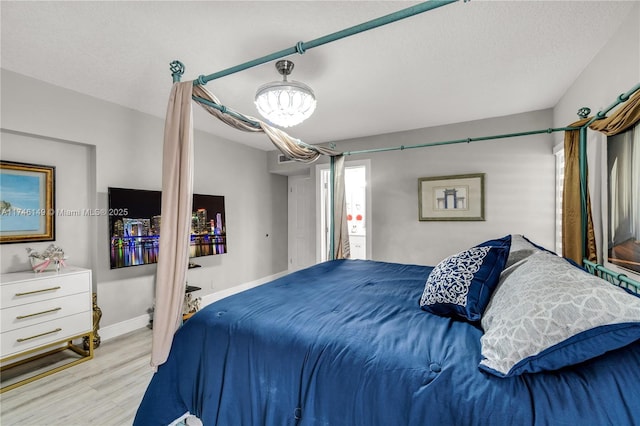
(135, 226)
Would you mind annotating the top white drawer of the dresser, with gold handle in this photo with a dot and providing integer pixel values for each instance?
(42, 288)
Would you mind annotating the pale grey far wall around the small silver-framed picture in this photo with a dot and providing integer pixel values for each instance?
(519, 185)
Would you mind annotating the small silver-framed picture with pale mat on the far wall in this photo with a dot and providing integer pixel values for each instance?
(451, 198)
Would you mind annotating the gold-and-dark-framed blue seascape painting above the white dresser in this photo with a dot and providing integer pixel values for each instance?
(27, 202)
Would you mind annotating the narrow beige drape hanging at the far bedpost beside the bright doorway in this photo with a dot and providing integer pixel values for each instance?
(341, 230)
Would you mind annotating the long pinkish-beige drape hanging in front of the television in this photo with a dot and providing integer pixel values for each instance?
(177, 189)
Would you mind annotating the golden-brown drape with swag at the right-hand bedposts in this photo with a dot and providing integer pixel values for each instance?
(625, 117)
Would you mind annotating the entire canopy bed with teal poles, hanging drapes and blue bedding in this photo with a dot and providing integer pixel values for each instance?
(288, 320)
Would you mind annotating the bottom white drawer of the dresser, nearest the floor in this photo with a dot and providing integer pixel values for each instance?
(33, 336)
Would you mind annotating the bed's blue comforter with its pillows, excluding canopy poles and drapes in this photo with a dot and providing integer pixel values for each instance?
(354, 342)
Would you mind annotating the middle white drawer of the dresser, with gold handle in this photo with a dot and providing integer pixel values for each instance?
(47, 310)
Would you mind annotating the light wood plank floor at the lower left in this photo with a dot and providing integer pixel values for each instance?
(103, 391)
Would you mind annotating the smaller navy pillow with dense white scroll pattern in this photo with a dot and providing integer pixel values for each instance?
(461, 285)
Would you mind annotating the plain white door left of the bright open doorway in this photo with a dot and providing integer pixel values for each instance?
(301, 223)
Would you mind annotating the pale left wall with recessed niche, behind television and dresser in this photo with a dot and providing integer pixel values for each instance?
(95, 145)
